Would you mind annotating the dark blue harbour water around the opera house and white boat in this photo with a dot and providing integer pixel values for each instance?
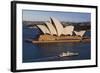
(50, 51)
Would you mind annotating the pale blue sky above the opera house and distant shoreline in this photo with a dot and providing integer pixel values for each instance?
(33, 15)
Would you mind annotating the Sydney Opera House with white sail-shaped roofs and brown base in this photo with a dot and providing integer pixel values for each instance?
(55, 31)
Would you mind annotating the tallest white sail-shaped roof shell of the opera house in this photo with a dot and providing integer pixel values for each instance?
(58, 26)
